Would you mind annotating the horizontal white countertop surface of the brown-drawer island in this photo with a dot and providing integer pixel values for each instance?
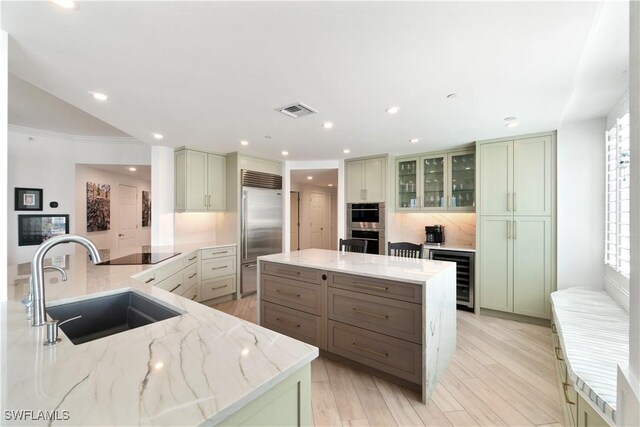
(412, 270)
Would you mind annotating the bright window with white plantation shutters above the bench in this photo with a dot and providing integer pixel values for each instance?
(617, 228)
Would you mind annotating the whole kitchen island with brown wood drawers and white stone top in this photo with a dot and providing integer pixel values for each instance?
(393, 316)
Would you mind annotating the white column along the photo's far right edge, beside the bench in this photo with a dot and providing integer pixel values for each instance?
(628, 401)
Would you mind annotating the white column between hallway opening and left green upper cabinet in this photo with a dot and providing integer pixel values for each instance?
(162, 194)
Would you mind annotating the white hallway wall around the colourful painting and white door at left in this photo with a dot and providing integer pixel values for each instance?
(108, 239)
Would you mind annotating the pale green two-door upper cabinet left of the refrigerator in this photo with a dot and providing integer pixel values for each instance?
(200, 181)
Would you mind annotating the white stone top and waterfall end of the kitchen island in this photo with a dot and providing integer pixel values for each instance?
(438, 282)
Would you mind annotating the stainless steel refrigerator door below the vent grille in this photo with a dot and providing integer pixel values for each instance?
(261, 231)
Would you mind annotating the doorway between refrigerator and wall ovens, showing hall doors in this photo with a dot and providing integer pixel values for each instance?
(314, 216)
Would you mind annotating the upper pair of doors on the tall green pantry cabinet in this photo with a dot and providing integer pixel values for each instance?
(518, 174)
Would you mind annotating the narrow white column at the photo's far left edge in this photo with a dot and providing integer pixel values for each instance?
(4, 143)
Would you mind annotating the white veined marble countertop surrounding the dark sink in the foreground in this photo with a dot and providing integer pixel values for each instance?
(201, 366)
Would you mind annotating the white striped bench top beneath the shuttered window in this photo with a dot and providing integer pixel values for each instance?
(594, 335)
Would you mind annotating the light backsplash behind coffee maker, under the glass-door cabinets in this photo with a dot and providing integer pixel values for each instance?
(459, 228)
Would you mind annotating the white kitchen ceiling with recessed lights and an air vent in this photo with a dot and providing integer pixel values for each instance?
(209, 74)
